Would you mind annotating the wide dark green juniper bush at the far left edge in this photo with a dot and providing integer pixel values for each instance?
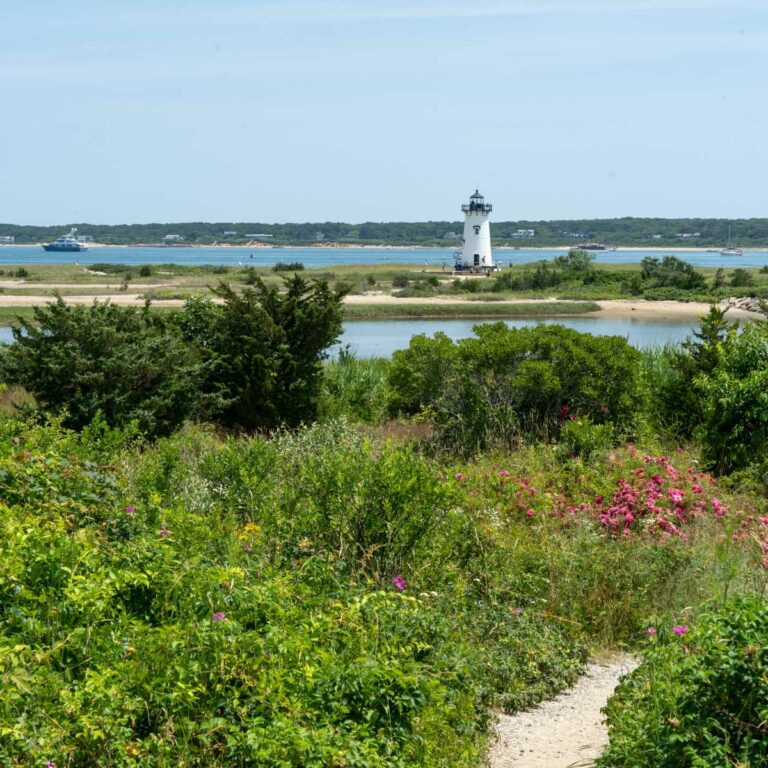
(126, 364)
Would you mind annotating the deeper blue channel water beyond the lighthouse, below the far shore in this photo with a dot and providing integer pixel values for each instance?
(329, 257)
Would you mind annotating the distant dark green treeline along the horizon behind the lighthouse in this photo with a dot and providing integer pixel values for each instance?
(625, 231)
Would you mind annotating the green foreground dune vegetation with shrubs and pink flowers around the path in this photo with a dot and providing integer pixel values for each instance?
(219, 549)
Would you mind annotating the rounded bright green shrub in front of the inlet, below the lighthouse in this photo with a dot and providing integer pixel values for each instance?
(509, 383)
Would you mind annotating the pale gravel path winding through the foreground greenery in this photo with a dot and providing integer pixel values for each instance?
(566, 731)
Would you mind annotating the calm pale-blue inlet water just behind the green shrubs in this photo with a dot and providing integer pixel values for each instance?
(380, 338)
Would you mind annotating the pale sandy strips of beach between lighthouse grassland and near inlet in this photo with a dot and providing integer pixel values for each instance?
(619, 308)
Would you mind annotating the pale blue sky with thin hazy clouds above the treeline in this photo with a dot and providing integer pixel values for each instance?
(365, 110)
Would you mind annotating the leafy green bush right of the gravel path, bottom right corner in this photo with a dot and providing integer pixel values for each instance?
(700, 697)
